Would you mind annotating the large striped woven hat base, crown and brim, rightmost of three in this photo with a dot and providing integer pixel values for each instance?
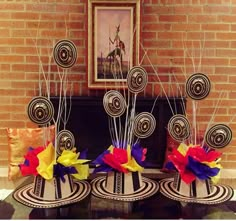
(199, 191)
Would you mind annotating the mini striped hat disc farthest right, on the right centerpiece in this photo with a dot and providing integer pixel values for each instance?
(218, 136)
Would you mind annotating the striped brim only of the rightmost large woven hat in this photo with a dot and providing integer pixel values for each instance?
(220, 193)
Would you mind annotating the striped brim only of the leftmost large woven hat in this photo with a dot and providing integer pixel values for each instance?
(25, 196)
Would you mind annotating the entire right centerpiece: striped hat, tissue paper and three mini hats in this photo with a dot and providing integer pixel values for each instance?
(198, 190)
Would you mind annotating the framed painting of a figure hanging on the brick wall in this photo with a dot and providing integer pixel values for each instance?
(113, 41)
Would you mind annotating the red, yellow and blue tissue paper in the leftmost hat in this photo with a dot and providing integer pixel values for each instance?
(42, 161)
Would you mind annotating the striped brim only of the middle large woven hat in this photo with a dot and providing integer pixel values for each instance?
(148, 189)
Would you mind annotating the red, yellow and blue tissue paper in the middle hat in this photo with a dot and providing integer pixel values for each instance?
(121, 160)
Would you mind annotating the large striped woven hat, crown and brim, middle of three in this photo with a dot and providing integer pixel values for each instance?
(129, 186)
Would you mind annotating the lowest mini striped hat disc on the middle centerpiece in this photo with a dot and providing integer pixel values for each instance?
(144, 125)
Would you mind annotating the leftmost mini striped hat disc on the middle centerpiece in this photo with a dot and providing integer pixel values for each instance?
(114, 103)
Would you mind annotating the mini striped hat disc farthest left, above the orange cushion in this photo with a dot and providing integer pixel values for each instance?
(40, 110)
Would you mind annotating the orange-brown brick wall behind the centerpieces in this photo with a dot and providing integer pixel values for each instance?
(180, 37)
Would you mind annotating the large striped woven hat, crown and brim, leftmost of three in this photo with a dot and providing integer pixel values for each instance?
(44, 193)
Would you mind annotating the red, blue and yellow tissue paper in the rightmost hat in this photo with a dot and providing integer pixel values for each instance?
(195, 161)
